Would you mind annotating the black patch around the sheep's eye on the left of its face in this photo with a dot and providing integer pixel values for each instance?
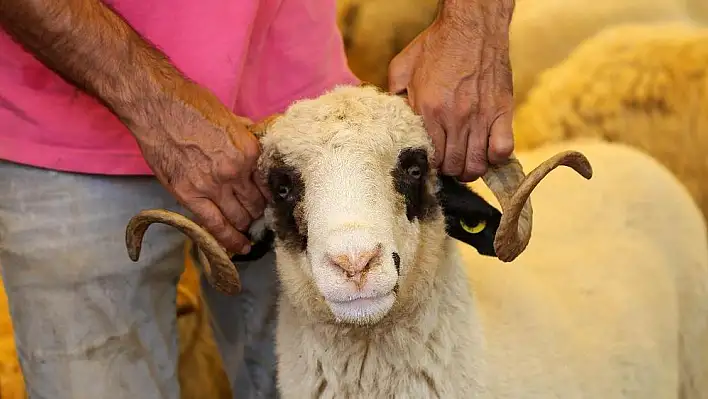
(285, 182)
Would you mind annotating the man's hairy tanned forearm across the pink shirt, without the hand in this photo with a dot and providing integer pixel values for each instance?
(92, 47)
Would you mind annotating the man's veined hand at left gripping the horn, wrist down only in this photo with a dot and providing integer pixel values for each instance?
(206, 157)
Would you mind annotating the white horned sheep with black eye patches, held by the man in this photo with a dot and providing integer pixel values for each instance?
(378, 301)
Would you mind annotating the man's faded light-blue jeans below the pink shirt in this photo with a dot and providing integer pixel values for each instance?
(90, 323)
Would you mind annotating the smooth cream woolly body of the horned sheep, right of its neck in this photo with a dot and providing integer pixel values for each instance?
(618, 282)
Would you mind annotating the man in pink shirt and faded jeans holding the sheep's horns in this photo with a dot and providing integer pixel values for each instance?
(97, 97)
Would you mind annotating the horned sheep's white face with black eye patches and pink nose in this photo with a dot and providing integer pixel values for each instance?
(353, 195)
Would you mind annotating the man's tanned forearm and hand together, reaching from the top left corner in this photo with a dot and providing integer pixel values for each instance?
(197, 148)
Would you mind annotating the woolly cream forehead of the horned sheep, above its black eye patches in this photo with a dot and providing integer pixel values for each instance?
(355, 121)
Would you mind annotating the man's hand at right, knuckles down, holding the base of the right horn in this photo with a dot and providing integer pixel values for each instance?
(458, 78)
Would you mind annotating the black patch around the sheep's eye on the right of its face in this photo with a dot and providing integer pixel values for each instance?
(410, 179)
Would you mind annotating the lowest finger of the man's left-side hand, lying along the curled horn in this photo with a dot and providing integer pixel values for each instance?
(209, 216)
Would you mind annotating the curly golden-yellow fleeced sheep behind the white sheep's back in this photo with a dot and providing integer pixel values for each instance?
(641, 85)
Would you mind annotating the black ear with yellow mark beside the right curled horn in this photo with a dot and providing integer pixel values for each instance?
(468, 217)
